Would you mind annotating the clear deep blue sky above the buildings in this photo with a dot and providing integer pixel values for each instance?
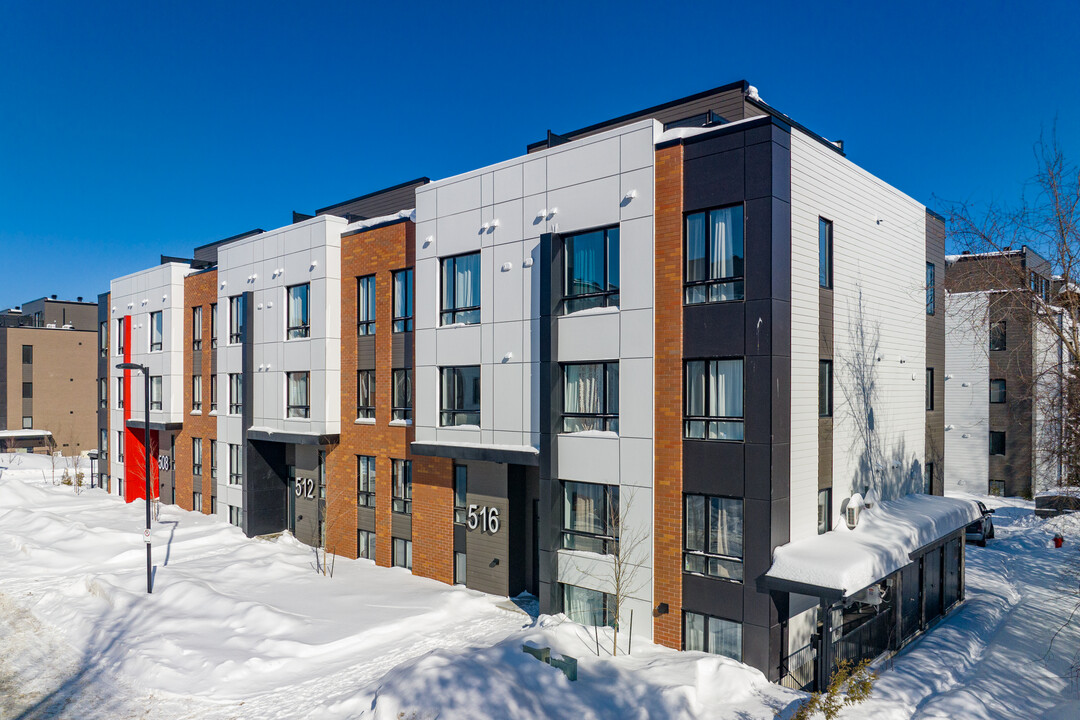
(130, 130)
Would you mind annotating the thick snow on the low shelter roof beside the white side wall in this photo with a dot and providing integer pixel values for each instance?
(850, 561)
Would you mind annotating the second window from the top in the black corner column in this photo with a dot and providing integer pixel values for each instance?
(714, 400)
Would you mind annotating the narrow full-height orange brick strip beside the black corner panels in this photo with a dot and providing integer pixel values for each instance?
(668, 469)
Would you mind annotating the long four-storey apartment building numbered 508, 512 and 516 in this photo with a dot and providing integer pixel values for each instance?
(636, 372)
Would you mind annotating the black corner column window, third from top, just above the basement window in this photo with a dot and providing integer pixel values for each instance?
(713, 537)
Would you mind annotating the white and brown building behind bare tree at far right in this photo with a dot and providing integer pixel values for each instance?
(1007, 374)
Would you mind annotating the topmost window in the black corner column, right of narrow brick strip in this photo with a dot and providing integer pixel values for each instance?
(714, 256)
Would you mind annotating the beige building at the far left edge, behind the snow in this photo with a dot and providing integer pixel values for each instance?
(49, 377)
